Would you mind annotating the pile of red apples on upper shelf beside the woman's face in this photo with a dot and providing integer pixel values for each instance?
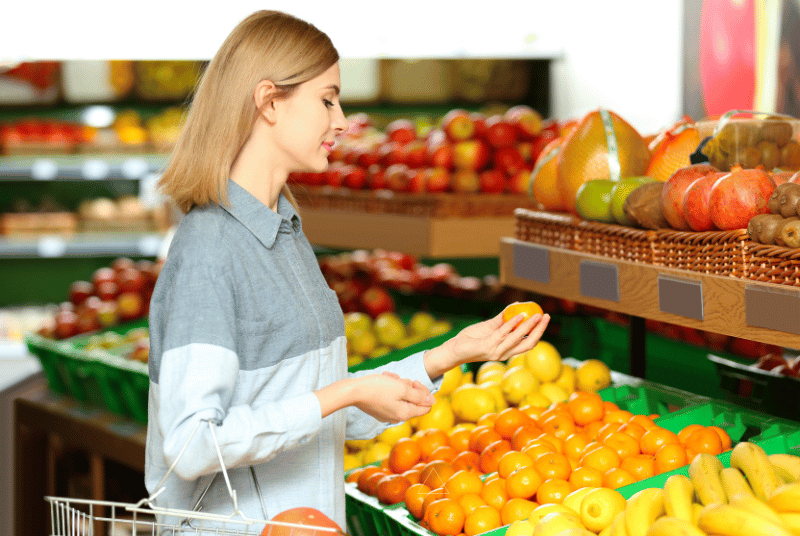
(466, 153)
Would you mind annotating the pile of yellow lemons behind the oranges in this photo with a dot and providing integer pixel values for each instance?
(537, 378)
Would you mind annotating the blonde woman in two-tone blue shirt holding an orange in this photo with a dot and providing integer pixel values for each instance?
(244, 329)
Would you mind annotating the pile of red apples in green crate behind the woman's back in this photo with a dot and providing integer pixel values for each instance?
(117, 293)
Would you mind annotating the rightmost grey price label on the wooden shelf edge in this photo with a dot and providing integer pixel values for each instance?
(772, 308)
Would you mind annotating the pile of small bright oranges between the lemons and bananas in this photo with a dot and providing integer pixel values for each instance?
(532, 456)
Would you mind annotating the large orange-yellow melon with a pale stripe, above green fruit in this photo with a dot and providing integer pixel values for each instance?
(586, 155)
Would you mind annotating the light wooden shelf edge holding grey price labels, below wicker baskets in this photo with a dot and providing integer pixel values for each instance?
(724, 304)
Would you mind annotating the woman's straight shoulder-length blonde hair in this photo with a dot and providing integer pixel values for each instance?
(267, 45)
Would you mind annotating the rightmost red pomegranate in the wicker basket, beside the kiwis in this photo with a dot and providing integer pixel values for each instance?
(738, 196)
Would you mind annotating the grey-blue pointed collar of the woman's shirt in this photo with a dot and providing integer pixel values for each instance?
(258, 218)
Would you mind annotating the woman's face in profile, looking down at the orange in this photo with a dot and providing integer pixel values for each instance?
(309, 121)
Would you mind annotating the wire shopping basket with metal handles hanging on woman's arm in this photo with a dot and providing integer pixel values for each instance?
(86, 517)
